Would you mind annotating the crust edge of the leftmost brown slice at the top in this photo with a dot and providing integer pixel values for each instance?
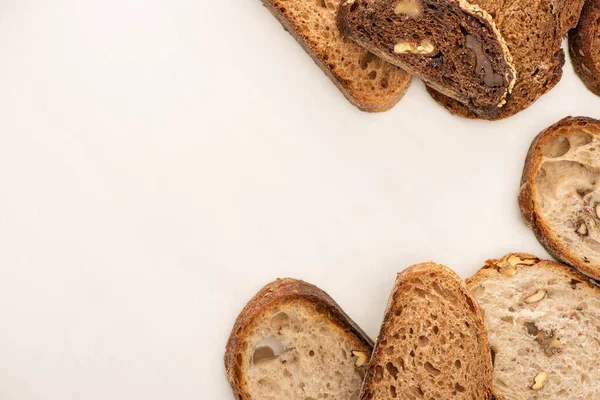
(358, 99)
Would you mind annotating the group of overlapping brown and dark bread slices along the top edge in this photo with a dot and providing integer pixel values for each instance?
(489, 60)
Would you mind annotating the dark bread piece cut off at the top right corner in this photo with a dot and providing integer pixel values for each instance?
(584, 46)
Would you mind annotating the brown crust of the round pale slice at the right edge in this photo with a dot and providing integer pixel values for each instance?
(529, 207)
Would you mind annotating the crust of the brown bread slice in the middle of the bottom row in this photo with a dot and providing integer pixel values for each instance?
(402, 279)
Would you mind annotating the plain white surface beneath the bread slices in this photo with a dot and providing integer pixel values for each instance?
(160, 161)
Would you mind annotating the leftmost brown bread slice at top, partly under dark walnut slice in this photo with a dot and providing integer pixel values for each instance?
(366, 81)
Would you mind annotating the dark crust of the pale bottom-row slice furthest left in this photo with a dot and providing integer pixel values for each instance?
(276, 293)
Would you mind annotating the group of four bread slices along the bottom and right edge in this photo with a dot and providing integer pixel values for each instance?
(520, 328)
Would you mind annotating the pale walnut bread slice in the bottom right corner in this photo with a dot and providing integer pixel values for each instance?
(543, 321)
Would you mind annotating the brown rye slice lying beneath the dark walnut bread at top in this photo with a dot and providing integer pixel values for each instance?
(533, 30)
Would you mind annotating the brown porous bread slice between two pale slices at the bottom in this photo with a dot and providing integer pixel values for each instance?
(432, 344)
